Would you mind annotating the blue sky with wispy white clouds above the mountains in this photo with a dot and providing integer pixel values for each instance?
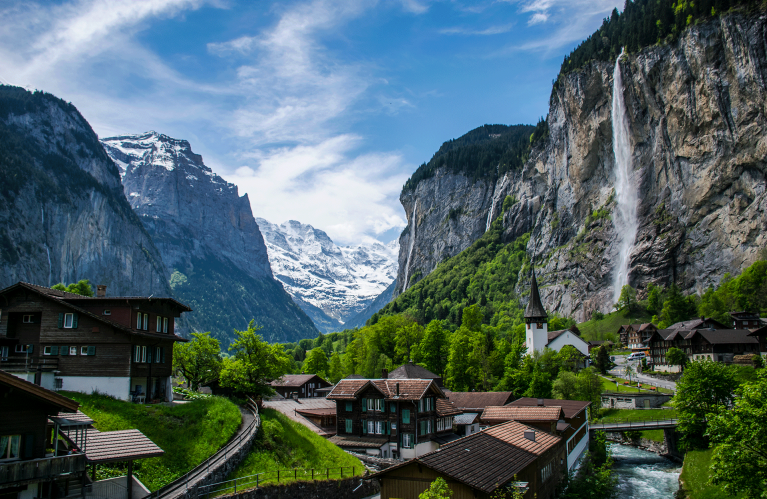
(319, 110)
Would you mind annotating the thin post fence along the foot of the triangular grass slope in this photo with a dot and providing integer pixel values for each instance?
(259, 479)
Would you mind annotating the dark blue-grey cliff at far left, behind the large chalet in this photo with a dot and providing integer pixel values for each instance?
(63, 215)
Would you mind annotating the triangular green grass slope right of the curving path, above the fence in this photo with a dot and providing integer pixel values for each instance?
(283, 444)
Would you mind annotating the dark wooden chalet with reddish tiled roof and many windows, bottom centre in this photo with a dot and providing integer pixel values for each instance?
(392, 418)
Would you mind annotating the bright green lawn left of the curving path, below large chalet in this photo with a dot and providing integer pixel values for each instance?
(188, 433)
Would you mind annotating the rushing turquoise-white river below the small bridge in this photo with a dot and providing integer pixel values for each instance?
(643, 474)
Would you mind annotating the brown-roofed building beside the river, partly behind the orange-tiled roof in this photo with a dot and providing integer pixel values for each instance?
(573, 427)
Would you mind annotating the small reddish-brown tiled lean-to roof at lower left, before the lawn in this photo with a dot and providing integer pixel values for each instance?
(111, 446)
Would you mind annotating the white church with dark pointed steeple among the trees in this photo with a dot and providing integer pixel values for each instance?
(537, 334)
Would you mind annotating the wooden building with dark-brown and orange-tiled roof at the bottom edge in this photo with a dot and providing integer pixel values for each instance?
(509, 455)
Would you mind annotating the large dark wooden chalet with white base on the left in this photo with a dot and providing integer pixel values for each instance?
(120, 346)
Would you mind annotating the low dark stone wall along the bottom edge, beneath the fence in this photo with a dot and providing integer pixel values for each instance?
(337, 489)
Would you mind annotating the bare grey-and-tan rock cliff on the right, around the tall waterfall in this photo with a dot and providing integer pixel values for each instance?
(696, 110)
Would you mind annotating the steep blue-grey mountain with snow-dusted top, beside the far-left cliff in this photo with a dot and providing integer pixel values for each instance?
(208, 238)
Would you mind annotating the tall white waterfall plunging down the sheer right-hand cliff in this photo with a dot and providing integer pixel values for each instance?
(625, 216)
